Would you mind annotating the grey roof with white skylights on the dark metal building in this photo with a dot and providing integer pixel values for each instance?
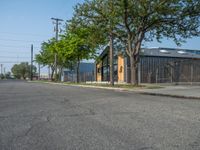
(170, 52)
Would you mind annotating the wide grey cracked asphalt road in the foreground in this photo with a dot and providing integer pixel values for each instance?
(36, 116)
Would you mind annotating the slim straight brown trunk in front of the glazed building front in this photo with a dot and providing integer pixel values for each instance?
(111, 61)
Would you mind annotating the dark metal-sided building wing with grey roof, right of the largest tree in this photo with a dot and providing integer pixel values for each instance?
(164, 65)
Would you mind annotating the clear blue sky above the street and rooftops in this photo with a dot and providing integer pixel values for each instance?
(26, 22)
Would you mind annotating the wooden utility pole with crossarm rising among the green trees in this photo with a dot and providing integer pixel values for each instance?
(57, 22)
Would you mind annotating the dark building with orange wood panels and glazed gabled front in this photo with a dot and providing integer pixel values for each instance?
(157, 65)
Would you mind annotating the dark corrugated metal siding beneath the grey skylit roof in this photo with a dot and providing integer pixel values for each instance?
(168, 69)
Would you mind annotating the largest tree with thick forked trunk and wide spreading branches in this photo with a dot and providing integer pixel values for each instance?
(146, 20)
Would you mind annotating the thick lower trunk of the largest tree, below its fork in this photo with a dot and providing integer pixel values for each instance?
(133, 68)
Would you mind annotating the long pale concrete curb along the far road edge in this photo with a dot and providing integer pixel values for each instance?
(124, 89)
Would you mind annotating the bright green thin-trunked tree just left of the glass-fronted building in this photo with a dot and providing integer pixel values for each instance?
(78, 47)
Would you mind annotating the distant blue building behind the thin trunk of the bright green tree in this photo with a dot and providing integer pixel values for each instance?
(86, 73)
